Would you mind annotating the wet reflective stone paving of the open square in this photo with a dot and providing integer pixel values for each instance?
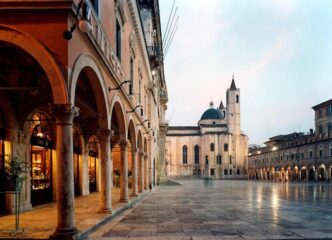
(202, 209)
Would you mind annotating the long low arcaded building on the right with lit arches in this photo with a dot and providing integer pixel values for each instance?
(297, 156)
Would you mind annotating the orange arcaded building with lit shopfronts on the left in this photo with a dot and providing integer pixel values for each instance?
(82, 100)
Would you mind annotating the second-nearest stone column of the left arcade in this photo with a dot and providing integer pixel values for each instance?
(106, 171)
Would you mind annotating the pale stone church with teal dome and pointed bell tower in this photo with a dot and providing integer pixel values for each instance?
(216, 148)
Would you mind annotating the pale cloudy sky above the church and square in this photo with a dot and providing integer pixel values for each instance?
(279, 50)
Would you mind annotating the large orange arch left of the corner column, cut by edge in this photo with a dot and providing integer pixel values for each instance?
(47, 62)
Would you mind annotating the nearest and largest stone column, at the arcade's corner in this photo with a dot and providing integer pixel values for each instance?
(64, 115)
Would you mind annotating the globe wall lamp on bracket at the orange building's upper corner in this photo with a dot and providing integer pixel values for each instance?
(84, 21)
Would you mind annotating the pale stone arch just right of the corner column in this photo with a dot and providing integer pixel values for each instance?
(85, 62)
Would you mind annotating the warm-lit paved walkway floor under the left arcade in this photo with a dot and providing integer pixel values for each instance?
(40, 222)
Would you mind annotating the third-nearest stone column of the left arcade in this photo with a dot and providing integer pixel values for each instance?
(124, 172)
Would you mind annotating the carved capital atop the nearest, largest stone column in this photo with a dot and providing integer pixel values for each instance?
(63, 113)
